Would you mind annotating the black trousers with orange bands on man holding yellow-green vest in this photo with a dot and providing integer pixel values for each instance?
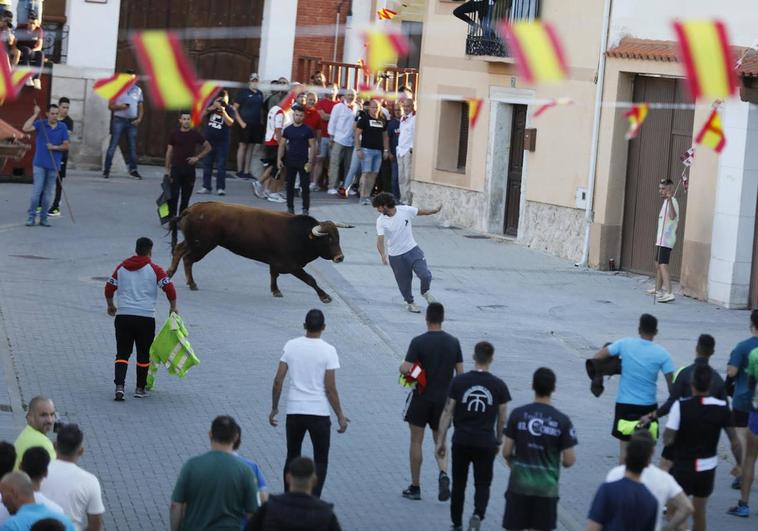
(131, 330)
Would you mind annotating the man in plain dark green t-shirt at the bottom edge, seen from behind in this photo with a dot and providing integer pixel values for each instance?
(215, 489)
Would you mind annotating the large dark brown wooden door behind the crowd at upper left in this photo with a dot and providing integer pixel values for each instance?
(221, 59)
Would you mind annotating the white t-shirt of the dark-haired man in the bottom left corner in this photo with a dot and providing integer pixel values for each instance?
(74, 489)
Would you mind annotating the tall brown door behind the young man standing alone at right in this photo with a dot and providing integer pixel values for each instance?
(655, 155)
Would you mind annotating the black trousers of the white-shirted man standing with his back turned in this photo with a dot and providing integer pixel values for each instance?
(319, 430)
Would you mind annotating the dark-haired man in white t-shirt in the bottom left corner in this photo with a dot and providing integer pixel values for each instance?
(72, 487)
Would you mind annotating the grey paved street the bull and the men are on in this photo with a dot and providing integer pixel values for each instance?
(537, 310)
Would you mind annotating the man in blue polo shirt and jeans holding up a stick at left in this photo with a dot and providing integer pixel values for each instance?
(51, 142)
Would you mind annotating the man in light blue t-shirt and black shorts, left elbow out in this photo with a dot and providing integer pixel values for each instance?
(641, 360)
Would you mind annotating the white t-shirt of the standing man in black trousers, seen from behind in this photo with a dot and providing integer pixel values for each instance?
(307, 361)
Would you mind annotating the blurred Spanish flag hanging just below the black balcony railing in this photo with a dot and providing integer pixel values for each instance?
(537, 50)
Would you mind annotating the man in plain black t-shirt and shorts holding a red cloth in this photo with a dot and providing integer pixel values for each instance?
(439, 355)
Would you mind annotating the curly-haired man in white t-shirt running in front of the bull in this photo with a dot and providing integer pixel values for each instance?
(393, 229)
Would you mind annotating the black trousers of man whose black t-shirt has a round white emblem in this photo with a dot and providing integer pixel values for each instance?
(483, 459)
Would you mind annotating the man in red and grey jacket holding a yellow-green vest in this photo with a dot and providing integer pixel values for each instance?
(136, 281)
